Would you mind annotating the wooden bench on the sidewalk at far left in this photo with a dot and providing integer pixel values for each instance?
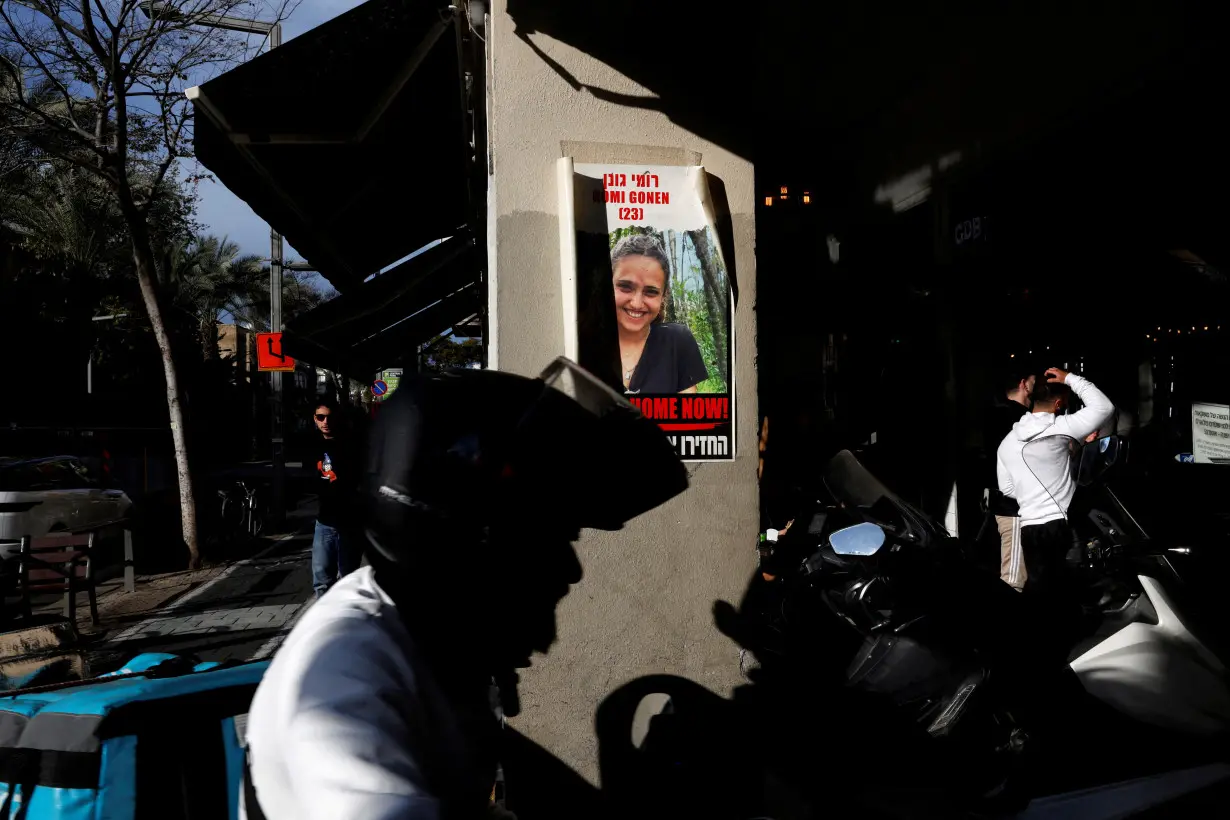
(58, 564)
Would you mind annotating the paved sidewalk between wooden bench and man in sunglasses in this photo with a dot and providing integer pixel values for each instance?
(237, 612)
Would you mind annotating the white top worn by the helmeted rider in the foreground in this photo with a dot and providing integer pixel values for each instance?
(351, 723)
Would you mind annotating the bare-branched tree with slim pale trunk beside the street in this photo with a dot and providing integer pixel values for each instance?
(97, 87)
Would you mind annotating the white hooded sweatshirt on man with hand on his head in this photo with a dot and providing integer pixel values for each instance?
(1034, 462)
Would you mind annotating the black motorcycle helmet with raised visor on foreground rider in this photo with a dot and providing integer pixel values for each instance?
(453, 451)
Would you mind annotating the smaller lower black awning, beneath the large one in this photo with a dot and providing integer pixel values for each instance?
(382, 323)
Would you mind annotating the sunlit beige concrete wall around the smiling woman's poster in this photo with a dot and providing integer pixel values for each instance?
(645, 604)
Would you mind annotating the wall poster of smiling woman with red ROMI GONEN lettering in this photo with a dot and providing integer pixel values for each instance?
(648, 297)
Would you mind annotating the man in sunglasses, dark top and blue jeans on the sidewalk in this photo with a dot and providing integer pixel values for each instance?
(335, 550)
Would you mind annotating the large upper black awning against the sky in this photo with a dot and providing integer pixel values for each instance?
(350, 140)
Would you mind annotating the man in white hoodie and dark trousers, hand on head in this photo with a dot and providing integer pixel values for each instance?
(1035, 468)
